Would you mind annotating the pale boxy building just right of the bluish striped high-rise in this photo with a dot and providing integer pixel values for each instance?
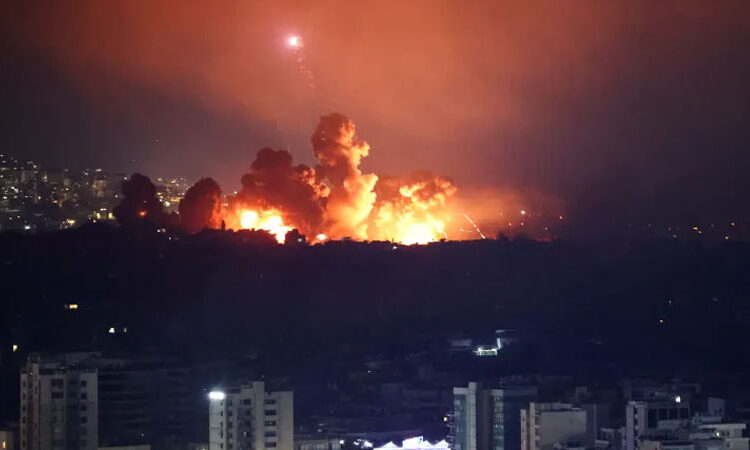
(546, 425)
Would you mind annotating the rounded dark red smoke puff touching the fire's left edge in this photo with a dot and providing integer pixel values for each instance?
(201, 206)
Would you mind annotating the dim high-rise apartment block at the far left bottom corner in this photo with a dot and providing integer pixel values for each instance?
(59, 404)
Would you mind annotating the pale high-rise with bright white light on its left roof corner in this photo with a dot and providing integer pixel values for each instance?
(247, 417)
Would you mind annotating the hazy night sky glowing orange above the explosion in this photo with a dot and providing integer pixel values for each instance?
(632, 109)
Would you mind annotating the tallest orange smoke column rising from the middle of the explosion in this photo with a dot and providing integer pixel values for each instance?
(351, 199)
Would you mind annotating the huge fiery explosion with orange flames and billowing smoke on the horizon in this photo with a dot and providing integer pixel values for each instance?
(334, 199)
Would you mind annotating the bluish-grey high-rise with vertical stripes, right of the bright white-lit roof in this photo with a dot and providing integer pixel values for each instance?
(488, 419)
